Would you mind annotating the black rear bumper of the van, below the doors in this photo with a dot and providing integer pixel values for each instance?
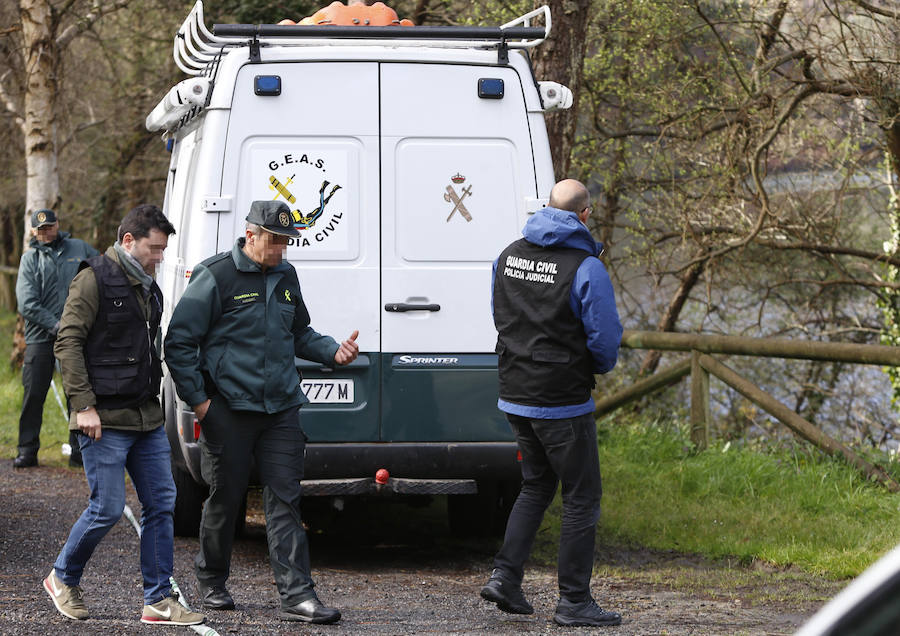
(414, 460)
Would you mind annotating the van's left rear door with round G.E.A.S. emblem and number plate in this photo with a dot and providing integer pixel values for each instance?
(315, 147)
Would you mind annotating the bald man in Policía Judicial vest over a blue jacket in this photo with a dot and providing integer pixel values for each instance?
(557, 326)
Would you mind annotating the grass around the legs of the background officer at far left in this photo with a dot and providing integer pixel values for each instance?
(54, 430)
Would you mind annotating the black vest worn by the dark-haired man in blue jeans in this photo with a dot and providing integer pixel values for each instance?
(122, 362)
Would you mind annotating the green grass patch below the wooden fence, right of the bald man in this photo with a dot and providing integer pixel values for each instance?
(784, 507)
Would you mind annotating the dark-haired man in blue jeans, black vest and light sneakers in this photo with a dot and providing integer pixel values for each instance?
(111, 372)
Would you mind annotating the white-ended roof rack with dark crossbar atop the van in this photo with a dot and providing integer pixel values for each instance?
(195, 47)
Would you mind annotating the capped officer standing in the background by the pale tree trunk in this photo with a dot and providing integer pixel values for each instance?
(45, 271)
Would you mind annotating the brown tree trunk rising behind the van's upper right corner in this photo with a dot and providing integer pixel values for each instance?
(561, 59)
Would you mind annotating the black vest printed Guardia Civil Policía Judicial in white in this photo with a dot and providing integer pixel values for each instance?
(543, 359)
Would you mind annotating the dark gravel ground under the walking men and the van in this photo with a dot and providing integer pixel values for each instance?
(391, 569)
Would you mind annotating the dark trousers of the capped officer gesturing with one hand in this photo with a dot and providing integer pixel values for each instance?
(228, 441)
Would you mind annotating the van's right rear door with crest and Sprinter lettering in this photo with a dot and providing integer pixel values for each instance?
(456, 163)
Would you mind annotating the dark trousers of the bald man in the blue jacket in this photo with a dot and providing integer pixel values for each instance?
(555, 451)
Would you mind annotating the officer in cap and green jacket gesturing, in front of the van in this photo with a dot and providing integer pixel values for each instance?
(230, 348)
